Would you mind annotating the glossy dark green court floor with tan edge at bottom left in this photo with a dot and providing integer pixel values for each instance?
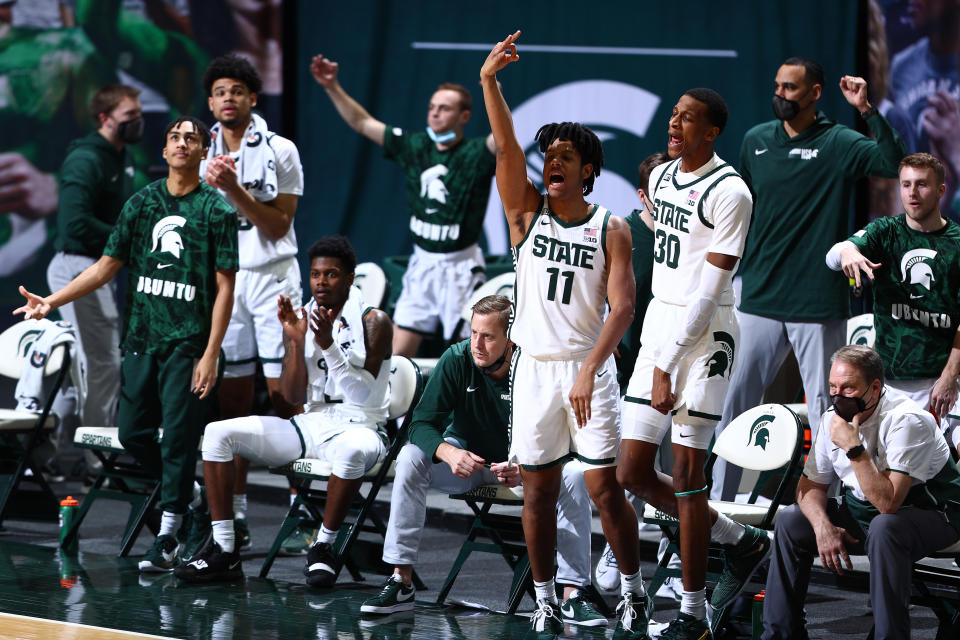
(47, 595)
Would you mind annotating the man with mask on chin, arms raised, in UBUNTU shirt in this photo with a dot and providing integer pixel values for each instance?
(448, 182)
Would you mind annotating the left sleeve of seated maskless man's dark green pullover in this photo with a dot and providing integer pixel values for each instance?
(436, 406)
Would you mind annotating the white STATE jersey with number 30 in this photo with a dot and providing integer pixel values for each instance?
(705, 211)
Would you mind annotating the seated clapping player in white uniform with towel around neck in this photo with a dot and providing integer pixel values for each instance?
(337, 356)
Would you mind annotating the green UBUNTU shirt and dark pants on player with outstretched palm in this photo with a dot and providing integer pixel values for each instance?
(173, 247)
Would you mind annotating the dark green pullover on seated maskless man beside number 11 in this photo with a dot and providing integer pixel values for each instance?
(463, 403)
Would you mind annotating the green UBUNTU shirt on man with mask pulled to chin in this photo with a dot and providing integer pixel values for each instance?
(447, 190)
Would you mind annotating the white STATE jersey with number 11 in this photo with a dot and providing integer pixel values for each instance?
(561, 288)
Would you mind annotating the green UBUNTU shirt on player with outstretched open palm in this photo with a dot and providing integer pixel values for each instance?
(172, 246)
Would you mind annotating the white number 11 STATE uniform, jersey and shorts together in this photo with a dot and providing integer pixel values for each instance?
(561, 294)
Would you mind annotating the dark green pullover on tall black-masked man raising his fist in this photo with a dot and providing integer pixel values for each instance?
(801, 206)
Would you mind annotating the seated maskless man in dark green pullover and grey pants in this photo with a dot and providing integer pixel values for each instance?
(471, 384)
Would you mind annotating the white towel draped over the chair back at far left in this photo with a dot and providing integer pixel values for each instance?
(29, 391)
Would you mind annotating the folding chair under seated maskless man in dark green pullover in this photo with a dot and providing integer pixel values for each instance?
(505, 535)
